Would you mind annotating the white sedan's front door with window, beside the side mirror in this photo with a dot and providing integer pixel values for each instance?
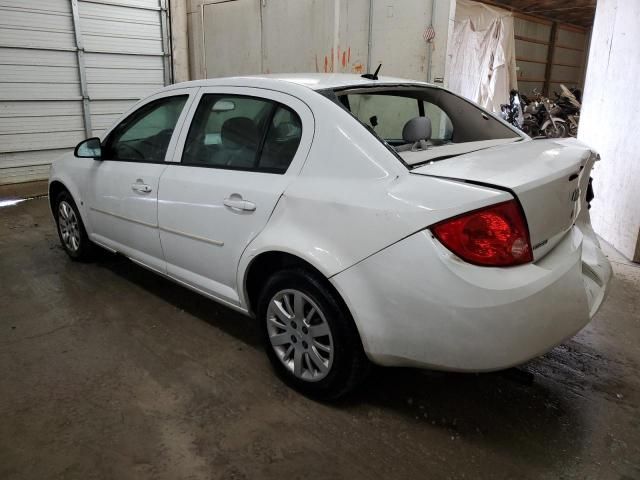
(123, 186)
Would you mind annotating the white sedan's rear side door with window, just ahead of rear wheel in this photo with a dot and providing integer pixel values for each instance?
(241, 150)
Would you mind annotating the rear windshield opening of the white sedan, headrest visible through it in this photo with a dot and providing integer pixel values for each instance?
(400, 116)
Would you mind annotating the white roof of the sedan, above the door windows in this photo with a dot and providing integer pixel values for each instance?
(313, 81)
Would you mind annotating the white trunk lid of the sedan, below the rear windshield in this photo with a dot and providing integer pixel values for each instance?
(549, 178)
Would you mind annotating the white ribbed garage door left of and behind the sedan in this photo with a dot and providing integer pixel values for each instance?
(68, 68)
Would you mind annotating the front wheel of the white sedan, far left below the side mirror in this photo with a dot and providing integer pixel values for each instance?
(73, 236)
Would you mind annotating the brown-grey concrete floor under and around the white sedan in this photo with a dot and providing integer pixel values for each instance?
(107, 371)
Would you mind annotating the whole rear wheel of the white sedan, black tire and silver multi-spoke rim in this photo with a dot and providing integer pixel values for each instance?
(310, 337)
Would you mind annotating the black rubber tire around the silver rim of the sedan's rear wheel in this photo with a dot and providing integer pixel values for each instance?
(349, 364)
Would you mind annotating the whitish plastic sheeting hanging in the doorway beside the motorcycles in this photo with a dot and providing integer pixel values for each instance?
(482, 64)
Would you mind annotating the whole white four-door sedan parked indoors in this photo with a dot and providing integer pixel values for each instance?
(359, 220)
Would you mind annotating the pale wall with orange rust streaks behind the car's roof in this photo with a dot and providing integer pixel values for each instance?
(317, 36)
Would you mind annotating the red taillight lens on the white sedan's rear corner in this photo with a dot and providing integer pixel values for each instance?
(492, 236)
